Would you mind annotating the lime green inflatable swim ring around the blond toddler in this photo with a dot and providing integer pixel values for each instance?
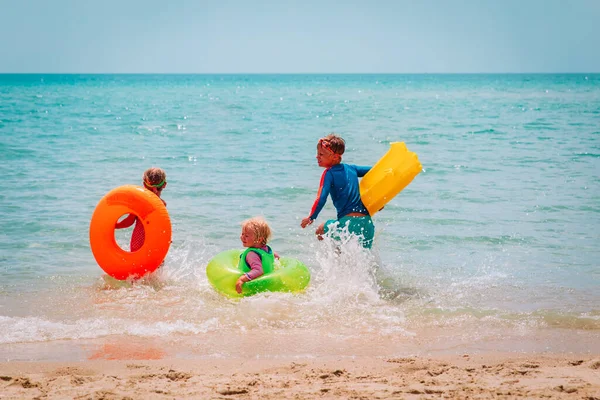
(290, 275)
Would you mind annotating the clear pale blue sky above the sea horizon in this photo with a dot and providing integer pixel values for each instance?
(310, 36)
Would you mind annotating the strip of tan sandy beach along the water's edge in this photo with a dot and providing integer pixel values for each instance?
(503, 376)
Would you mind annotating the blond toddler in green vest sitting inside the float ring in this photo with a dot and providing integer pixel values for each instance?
(258, 259)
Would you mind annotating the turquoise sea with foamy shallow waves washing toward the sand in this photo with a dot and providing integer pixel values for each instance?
(493, 247)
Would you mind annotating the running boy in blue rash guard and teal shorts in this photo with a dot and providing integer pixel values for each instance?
(341, 181)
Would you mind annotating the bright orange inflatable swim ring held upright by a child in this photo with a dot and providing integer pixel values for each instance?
(151, 211)
